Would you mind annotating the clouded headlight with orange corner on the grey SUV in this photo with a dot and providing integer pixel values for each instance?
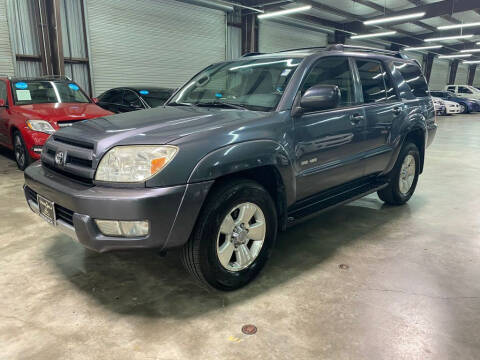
(134, 163)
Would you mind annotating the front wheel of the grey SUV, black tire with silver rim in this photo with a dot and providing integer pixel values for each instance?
(233, 237)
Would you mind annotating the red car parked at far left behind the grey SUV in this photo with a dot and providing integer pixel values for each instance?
(31, 109)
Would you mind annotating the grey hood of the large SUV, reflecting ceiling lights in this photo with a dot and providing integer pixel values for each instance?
(155, 126)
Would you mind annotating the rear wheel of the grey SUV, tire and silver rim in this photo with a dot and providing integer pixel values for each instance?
(403, 177)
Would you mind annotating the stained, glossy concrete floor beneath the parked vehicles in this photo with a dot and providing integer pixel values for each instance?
(411, 291)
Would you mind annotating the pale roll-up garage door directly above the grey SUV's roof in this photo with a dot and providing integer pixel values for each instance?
(274, 36)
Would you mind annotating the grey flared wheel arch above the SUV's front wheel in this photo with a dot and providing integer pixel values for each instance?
(246, 156)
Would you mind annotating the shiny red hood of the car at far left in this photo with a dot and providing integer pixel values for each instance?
(61, 111)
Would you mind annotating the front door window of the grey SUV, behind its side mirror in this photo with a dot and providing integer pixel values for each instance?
(332, 71)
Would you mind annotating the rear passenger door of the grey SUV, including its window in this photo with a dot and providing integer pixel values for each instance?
(382, 108)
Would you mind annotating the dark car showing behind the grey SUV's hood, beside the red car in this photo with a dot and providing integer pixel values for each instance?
(133, 98)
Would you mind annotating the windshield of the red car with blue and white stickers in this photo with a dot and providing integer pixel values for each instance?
(44, 92)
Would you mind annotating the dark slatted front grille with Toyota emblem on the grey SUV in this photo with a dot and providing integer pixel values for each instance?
(70, 157)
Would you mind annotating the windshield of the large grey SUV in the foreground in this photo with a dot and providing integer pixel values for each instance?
(255, 84)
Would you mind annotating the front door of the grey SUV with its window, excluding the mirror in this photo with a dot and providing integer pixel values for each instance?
(329, 143)
